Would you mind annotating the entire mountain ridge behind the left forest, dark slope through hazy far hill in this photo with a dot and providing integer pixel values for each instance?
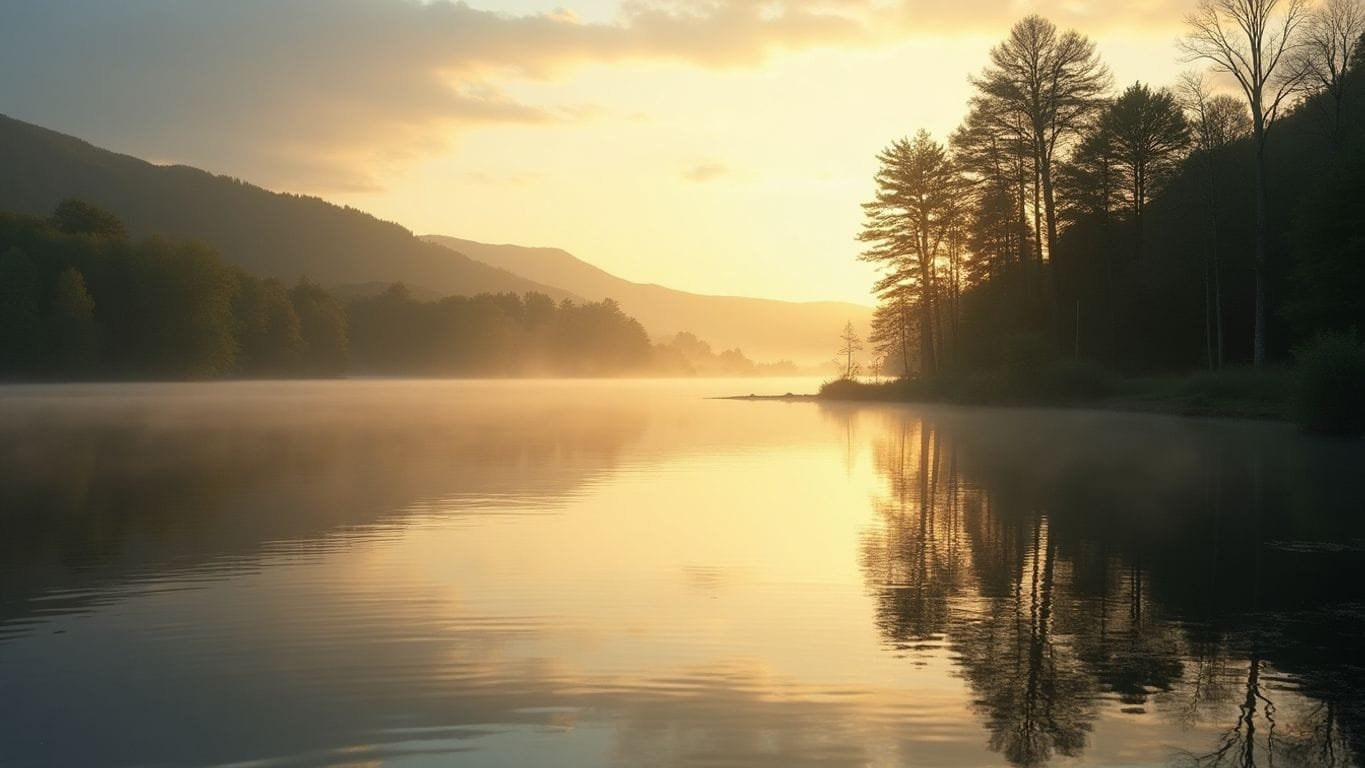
(287, 237)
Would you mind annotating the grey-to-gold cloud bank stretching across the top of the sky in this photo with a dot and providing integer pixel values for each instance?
(320, 95)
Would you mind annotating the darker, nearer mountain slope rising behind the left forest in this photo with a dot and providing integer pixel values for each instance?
(268, 234)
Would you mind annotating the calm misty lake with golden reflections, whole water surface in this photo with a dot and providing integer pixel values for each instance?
(413, 574)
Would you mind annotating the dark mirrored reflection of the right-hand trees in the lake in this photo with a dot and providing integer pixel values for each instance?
(1142, 571)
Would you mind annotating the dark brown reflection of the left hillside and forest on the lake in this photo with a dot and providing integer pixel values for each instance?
(110, 484)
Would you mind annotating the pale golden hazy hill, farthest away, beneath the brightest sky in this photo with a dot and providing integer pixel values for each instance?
(764, 329)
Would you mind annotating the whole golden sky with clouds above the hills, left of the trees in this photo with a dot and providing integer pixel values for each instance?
(717, 147)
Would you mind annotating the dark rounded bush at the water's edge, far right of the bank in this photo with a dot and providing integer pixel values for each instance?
(1332, 385)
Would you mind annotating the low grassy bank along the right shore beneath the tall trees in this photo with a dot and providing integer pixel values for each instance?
(1325, 392)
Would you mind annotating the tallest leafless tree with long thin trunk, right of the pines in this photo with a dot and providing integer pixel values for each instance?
(1255, 42)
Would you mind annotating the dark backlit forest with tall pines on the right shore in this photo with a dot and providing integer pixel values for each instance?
(1207, 224)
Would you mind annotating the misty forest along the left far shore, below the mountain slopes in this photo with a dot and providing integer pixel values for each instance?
(80, 299)
